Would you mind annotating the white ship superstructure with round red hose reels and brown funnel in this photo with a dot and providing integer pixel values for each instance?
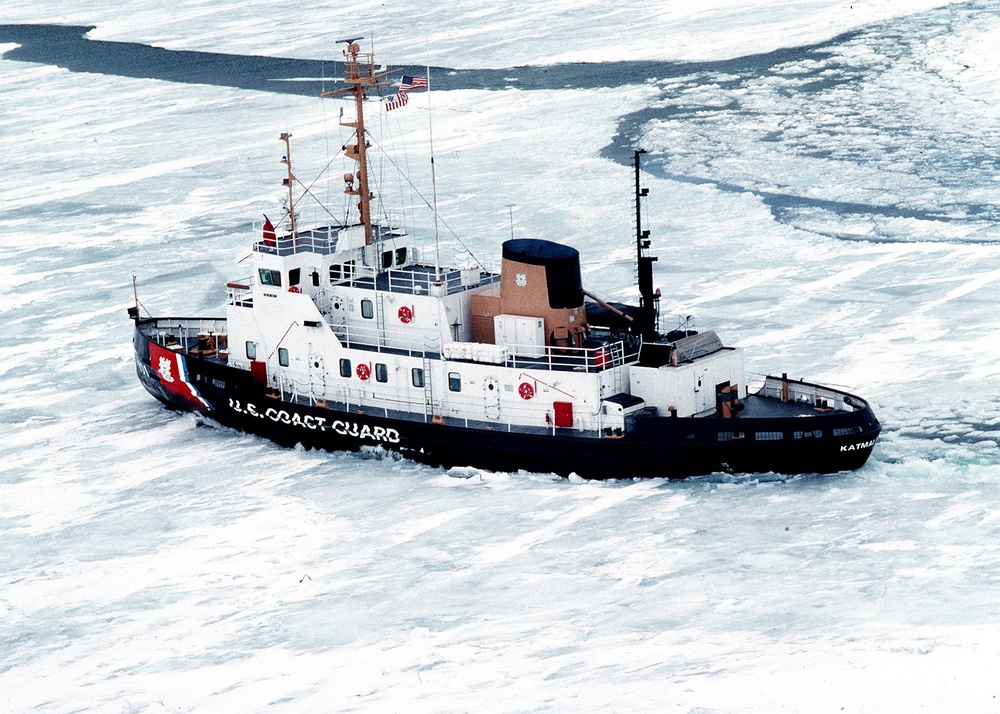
(327, 319)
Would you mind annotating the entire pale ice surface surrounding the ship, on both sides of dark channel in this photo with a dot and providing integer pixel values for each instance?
(832, 210)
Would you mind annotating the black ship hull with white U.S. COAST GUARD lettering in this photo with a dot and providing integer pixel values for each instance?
(656, 447)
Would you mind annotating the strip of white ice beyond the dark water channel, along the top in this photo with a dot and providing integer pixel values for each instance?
(472, 34)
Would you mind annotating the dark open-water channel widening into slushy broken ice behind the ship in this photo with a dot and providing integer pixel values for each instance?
(836, 103)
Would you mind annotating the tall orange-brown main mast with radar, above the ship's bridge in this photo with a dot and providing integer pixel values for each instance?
(359, 73)
